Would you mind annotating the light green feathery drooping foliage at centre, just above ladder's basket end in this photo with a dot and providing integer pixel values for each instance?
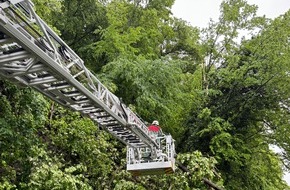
(155, 89)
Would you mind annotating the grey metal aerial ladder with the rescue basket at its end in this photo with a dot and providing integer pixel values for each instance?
(33, 55)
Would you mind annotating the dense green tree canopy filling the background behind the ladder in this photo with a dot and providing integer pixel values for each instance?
(223, 97)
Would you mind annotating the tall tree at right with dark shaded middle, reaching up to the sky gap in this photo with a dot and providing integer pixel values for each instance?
(243, 88)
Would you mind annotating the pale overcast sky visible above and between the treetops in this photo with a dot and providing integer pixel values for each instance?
(199, 12)
